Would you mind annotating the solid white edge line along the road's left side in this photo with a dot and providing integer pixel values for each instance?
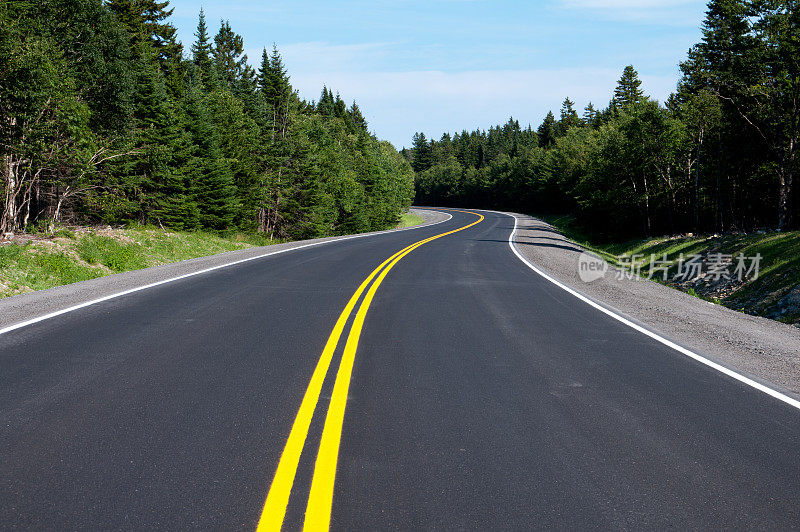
(205, 270)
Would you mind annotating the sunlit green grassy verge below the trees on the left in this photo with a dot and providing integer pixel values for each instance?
(35, 262)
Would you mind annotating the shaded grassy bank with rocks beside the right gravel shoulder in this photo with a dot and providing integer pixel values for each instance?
(775, 293)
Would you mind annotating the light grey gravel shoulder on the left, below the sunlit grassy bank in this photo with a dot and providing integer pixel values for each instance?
(19, 308)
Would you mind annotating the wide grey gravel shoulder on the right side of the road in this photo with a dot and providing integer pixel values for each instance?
(765, 350)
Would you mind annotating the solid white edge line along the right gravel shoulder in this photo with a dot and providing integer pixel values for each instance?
(691, 354)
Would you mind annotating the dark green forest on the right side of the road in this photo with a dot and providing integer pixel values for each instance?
(719, 155)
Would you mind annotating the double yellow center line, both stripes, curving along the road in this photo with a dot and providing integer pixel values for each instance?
(320, 499)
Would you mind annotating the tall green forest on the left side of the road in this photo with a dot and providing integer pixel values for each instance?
(105, 118)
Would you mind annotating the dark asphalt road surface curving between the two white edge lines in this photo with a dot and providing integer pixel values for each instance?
(481, 397)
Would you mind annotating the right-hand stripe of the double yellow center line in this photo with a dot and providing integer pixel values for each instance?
(320, 500)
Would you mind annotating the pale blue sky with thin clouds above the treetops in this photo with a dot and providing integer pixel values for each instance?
(449, 65)
